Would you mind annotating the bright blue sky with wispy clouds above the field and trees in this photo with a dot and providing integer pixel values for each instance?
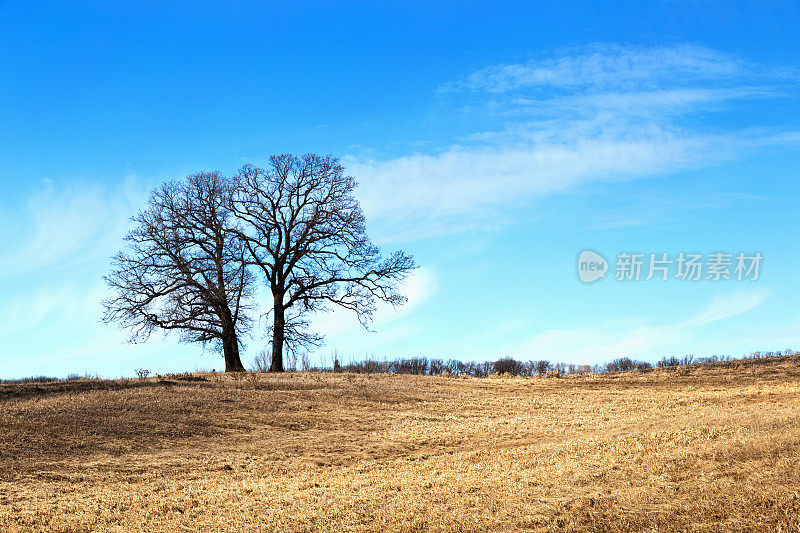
(493, 141)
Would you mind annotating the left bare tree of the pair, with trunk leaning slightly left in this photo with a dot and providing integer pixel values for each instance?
(183, 269)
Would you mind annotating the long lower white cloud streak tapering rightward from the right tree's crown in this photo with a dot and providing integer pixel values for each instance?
(462, 187)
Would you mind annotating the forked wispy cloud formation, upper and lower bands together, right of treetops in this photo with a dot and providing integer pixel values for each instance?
(566, 122)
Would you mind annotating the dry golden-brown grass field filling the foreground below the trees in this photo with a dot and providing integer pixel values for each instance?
(705, 448)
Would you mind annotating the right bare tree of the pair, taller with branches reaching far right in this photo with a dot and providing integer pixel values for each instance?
(305, 231)
